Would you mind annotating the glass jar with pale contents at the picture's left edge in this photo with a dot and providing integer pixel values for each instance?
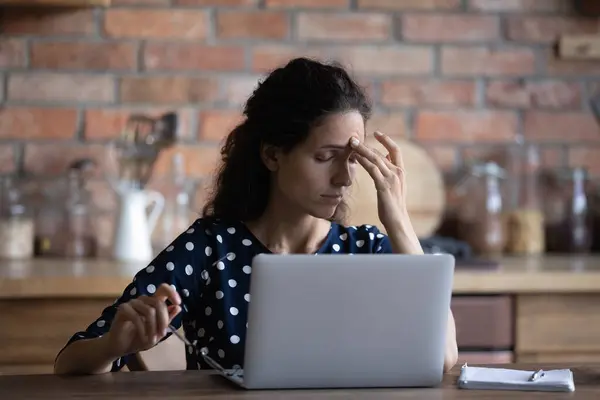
(16, 222)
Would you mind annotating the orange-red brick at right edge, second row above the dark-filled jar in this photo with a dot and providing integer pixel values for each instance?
(561, 126)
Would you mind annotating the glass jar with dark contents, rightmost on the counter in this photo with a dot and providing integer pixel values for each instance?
(568, 218)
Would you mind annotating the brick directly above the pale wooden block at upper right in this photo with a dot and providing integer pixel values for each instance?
(547, 29)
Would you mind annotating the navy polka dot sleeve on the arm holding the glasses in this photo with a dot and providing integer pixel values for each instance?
(178, 265)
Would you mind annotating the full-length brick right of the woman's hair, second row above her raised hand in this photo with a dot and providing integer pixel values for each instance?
(426, 92)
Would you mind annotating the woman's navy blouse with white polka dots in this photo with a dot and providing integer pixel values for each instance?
(210, 265)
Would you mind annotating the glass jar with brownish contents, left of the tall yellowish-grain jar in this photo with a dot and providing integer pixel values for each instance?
(480, 218)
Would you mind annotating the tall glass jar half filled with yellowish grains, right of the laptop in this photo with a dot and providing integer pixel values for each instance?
(525, 216)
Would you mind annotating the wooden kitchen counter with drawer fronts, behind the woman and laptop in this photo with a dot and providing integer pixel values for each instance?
(539, 309)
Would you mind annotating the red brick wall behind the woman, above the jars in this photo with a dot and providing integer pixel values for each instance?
(459, 76)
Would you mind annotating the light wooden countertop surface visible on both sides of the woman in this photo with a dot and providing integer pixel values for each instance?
(53, 278)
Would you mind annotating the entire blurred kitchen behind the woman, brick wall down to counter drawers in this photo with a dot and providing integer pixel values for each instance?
(113, 112)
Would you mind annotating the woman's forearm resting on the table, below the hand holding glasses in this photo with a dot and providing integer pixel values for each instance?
(89, 356)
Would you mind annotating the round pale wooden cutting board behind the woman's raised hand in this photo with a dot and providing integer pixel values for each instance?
(425, 197)
